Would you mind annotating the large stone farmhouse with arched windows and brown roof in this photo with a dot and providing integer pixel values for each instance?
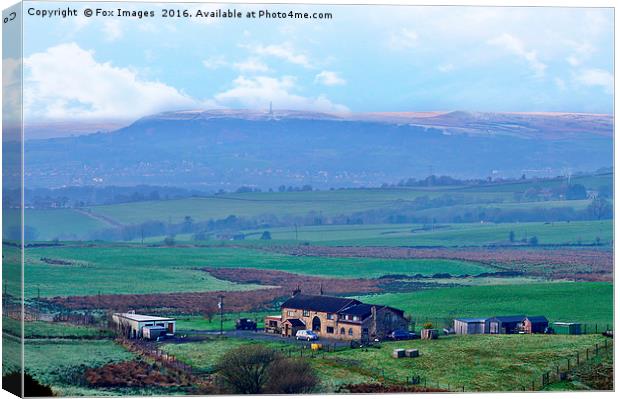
(335, 318)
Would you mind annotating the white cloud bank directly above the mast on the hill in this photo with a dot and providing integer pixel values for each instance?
(259, 91)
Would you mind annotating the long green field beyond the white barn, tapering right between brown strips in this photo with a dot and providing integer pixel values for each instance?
(123, 269)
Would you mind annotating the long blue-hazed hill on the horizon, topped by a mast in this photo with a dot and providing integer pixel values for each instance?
(226, 149)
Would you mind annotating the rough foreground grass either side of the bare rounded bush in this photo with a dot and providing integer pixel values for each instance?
(479, 363)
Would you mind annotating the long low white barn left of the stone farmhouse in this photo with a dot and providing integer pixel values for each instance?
(132, 325)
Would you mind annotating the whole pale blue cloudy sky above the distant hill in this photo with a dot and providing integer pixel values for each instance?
(364, 59)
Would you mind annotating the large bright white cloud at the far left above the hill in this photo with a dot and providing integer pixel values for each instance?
(66, 82)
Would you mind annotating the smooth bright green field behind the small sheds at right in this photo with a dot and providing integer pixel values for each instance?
(590, 303)
